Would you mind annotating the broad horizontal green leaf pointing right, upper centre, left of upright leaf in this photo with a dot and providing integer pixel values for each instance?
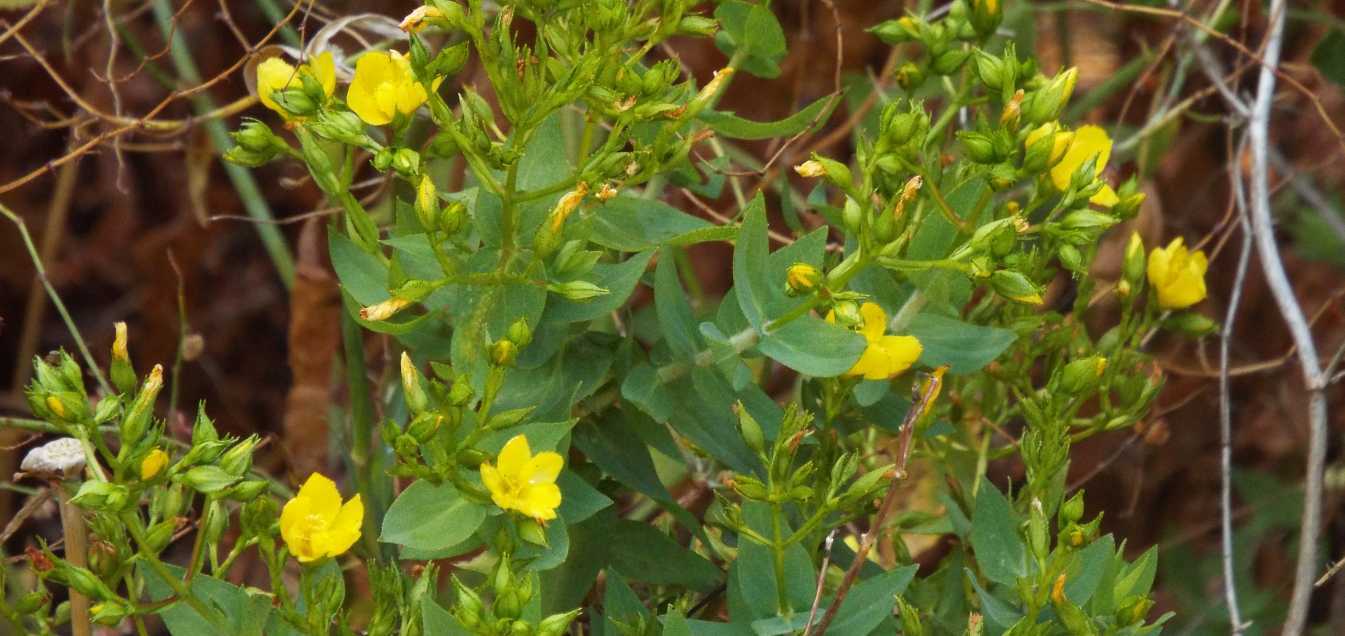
(629, 224)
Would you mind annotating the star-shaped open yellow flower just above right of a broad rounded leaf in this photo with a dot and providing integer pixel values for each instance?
(525, 482)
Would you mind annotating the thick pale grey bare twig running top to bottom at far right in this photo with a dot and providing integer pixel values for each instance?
(1278, 282)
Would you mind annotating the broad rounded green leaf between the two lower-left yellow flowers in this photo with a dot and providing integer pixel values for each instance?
(428, 517)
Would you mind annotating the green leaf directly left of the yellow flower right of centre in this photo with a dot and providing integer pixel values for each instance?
(814, 348)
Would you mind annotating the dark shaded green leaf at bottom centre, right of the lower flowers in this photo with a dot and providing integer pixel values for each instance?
(646, 555)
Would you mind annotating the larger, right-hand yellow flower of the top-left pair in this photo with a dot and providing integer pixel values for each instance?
(384, 88)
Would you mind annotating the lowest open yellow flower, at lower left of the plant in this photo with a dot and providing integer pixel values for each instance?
(315, 524)
